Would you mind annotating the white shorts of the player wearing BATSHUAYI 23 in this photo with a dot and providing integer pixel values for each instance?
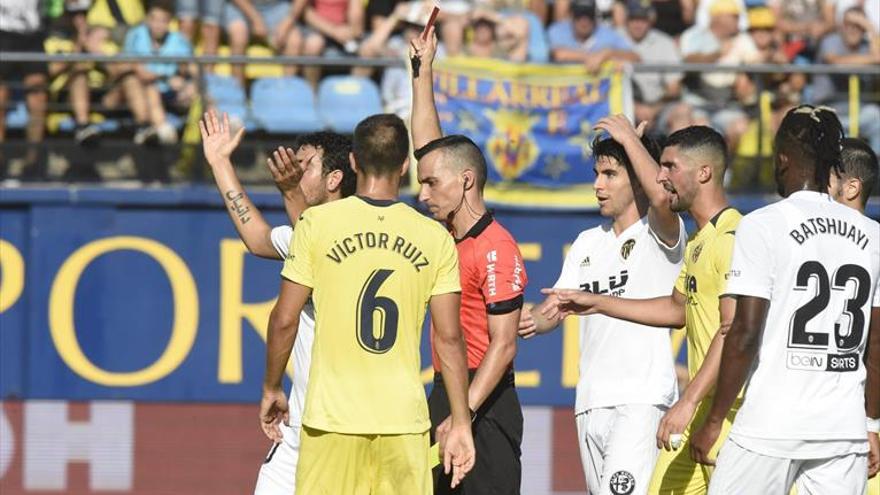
(741, 471)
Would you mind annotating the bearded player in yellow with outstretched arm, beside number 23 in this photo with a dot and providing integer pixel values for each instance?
(691, 170)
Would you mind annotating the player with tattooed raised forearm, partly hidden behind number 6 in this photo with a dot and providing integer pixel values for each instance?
(318, 172)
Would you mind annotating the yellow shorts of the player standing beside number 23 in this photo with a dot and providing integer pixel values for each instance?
(676, 473)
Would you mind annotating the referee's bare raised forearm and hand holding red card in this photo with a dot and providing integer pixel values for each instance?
(425, 122)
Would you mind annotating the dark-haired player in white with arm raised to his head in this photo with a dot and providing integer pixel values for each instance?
(627, 380)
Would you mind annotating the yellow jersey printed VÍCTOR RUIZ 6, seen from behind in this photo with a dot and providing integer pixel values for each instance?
(373, 267)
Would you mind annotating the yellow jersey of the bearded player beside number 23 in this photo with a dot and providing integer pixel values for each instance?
(702, 281)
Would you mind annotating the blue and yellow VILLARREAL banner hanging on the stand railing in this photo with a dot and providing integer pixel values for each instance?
(533, 122)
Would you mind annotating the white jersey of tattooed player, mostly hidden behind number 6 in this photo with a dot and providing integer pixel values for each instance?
(305, 337)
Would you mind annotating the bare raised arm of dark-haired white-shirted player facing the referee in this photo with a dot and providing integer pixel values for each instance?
(663, 221)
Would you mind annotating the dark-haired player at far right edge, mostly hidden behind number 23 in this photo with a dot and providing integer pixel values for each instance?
(852, 186)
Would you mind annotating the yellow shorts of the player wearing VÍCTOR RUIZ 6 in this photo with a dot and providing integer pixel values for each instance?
(335, 463)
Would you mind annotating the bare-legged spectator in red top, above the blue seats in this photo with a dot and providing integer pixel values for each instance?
(332, 27)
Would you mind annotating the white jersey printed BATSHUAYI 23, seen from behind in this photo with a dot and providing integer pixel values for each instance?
(818, 263)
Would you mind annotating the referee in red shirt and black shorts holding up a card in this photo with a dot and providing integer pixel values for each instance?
(452, 174)
